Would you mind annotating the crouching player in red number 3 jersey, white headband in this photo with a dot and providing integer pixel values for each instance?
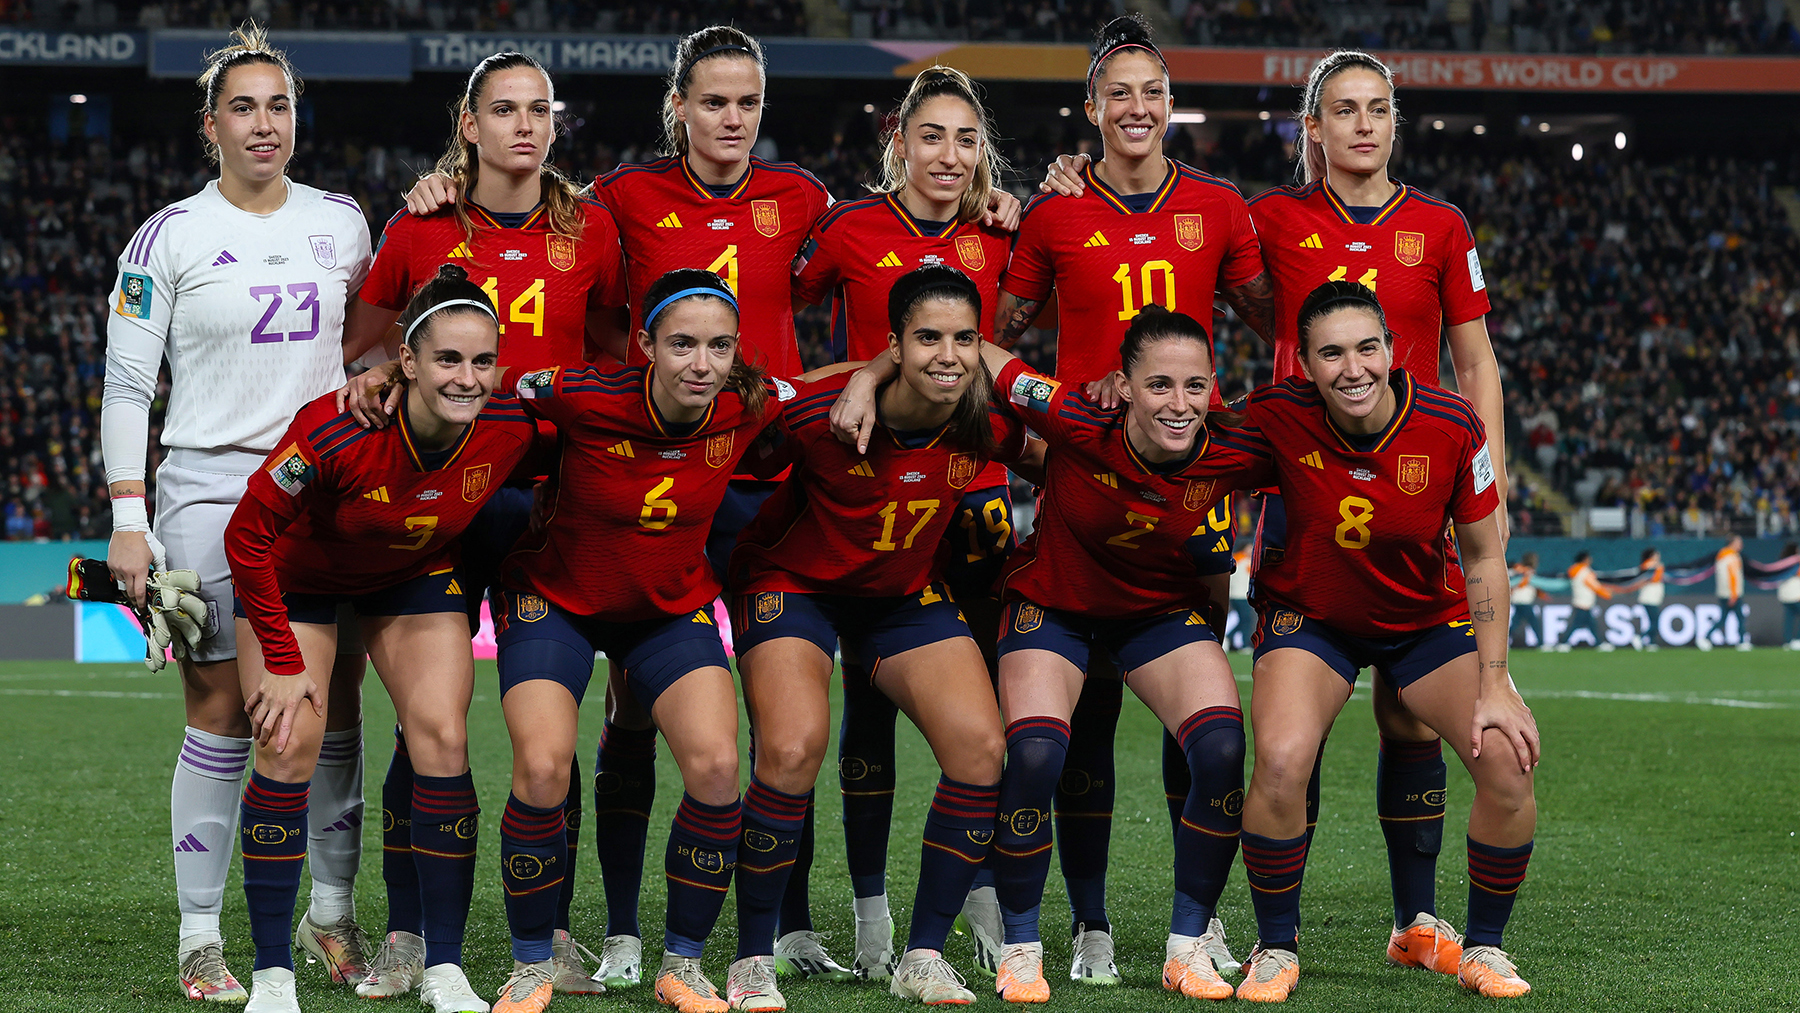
(330, 519)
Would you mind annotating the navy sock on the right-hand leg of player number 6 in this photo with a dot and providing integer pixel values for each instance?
(697, 865)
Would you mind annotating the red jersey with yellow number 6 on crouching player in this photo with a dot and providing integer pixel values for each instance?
(633, 499)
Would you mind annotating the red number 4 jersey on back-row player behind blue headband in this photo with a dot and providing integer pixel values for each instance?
(670, 220)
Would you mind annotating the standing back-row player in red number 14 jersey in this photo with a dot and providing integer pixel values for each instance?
(550, 260)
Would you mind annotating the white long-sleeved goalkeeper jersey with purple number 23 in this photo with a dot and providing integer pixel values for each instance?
(247, 309)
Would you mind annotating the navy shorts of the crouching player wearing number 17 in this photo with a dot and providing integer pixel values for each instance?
(870, 629)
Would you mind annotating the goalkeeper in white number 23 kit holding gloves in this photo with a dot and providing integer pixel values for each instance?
(244, 289)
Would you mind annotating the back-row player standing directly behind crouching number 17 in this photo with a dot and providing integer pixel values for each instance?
(940, 170)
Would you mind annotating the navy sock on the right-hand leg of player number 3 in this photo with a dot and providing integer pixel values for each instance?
(445, 827)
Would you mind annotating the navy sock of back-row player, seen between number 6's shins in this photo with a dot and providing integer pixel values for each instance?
(625, 787)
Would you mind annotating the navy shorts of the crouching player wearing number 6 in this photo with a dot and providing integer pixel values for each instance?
(541, 641)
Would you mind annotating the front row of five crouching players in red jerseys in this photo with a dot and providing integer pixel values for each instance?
(1376, 472)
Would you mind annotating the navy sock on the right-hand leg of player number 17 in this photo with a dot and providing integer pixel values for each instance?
(958, 834)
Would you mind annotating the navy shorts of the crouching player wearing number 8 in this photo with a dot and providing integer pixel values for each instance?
(1403, 659)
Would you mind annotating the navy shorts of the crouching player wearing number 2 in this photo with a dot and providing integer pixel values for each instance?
(1129, 641)
